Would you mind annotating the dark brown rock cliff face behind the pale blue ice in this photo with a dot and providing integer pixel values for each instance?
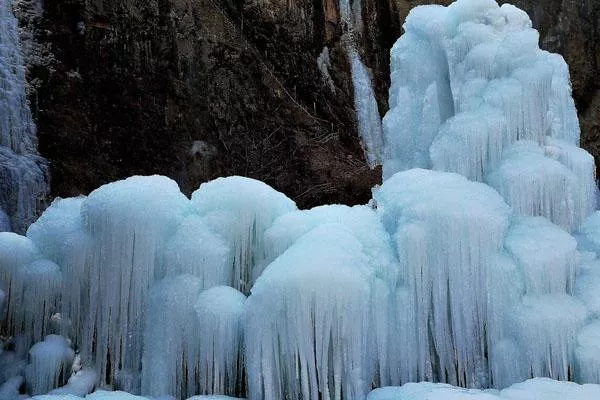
(196, 89)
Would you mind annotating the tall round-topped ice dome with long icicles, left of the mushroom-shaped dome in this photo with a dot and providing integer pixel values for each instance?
(128, 223)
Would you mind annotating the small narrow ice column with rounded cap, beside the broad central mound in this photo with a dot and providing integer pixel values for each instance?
(219, 312)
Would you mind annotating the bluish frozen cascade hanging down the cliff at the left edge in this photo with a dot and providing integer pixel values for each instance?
(23, 173)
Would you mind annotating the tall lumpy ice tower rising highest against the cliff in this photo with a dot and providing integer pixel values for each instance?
(468, 81)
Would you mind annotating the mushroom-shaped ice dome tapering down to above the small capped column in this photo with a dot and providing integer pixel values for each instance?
(241, 210)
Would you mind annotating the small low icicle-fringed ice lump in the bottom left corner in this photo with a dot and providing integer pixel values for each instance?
(49, 364)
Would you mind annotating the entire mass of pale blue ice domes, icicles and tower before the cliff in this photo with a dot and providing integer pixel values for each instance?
(478, 268)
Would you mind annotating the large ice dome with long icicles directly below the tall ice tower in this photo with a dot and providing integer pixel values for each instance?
(449, 289)
